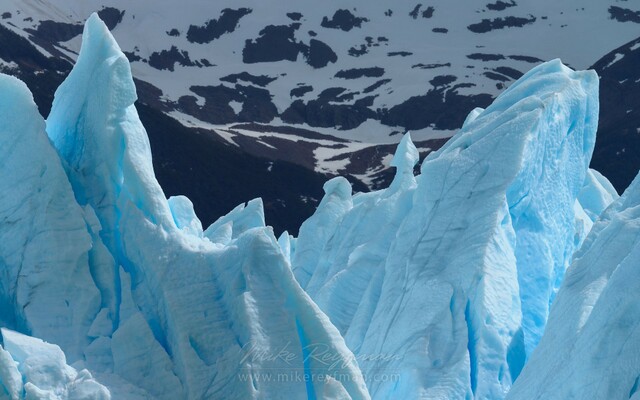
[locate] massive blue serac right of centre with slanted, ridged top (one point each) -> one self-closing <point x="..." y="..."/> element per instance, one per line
<point x="442" y="285"/>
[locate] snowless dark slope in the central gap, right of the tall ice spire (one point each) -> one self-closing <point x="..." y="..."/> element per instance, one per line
<point x="217" y="176"/>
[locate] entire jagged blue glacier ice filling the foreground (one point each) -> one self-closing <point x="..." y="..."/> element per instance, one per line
<point x="503" y="269"/>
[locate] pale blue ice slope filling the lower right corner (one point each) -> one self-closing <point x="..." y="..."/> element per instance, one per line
<point x="591" y="348"/>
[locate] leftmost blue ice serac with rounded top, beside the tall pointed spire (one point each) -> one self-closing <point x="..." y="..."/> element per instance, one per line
<point x="47" y="287"/>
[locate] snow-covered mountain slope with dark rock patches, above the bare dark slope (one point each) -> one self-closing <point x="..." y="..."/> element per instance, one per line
<point x="363" y="73"/>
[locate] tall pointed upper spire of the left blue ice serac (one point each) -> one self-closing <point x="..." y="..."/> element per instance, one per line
<point x="96" y="129"/>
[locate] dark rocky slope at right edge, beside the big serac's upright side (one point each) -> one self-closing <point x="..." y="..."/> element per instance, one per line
<point x="617" y="151"/>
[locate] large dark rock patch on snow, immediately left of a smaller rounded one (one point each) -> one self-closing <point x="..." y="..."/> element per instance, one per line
<point x="275" y="43"/>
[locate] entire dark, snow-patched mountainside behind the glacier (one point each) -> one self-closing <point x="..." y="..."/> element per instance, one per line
<point x="324" y="86"/>
